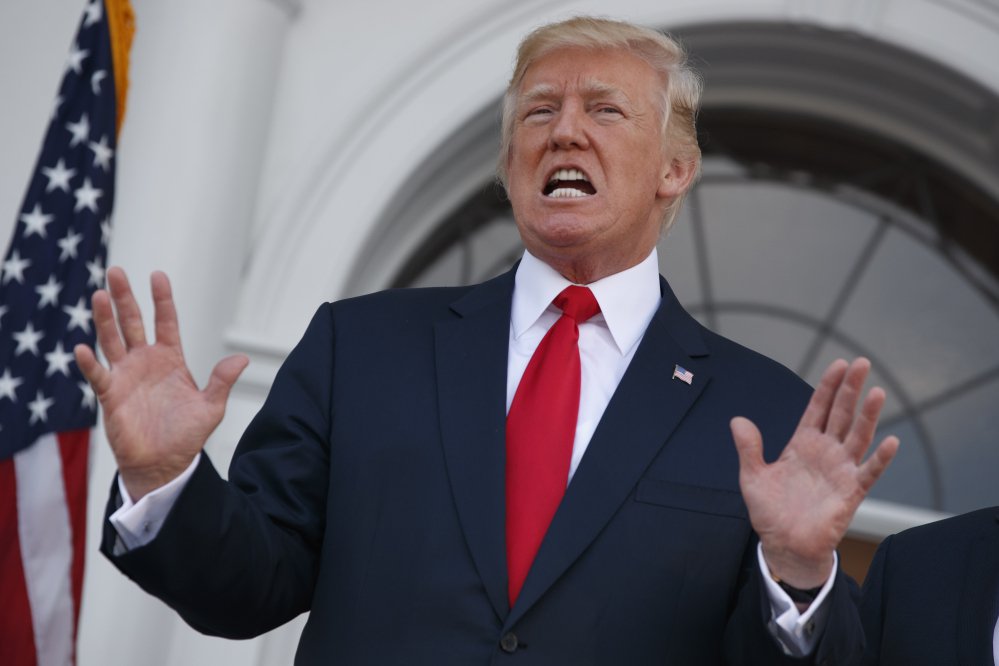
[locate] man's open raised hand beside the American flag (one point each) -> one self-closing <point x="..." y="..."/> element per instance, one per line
<point x="155" y="416"/>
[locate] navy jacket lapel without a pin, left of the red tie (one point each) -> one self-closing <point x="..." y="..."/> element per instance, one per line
<point x="471" y="357"/>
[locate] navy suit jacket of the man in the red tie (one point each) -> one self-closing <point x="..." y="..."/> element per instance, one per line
<point x="370" y="490"/>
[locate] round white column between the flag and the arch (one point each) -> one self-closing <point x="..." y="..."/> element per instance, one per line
<point x="202" y="84"/>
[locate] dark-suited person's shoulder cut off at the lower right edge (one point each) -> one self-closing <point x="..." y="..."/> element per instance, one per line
<point x="932" y="594"/>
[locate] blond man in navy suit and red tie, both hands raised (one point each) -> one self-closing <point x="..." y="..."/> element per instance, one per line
<point x="526" y="470"/>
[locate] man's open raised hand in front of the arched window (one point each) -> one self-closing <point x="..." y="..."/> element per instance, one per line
<point x="801" y="504"/>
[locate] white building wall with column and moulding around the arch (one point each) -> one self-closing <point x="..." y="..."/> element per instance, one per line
<point x="261" y="145"/>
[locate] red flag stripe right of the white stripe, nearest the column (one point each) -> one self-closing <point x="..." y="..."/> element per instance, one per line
<point x="74" y="448"/>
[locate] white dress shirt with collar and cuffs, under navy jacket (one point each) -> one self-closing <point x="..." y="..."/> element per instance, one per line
<point x="607" y="343"/>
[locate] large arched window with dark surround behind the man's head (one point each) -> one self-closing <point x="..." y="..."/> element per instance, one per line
<point x="844" y="209"/>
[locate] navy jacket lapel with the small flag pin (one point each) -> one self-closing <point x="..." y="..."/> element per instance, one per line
<point x="640" y="417"/>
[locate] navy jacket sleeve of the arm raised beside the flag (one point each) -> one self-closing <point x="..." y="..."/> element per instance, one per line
<point x="239" y="558"/>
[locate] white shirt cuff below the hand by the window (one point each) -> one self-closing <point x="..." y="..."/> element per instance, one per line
<point x="798" y="633"/>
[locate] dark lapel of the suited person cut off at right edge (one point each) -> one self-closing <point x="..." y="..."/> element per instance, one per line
<point x="978" y="607"/>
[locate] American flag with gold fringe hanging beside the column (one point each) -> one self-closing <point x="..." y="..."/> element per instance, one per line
<point x="55" y="261"/>
